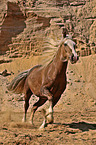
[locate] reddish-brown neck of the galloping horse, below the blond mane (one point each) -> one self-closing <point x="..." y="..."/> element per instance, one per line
<point x="59" y="63"/>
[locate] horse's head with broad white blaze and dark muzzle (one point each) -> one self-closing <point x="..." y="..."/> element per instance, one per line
<point x="69" y="49"/>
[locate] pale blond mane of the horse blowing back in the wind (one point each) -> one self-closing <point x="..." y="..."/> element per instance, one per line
<point x="50" y="48"/>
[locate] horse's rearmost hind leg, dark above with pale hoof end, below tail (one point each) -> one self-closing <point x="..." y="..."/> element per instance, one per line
<point x="26" y="105"/>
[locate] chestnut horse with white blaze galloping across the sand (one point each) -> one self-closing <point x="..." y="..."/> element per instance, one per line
<point x="46" y="82"/>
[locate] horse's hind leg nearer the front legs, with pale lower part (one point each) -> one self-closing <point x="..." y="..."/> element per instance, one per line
<point x="39" y="103"/>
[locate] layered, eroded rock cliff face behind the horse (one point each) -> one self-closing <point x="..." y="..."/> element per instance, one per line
<point x="26" y="24"/>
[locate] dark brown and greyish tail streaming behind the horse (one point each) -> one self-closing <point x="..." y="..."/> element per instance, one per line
<point x="17" y="84"/>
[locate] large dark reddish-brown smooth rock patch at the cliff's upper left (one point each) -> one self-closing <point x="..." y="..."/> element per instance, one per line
<point x="13" y="24"/>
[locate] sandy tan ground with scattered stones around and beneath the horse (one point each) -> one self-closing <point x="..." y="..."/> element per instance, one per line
<point x="74" y="115"/>
